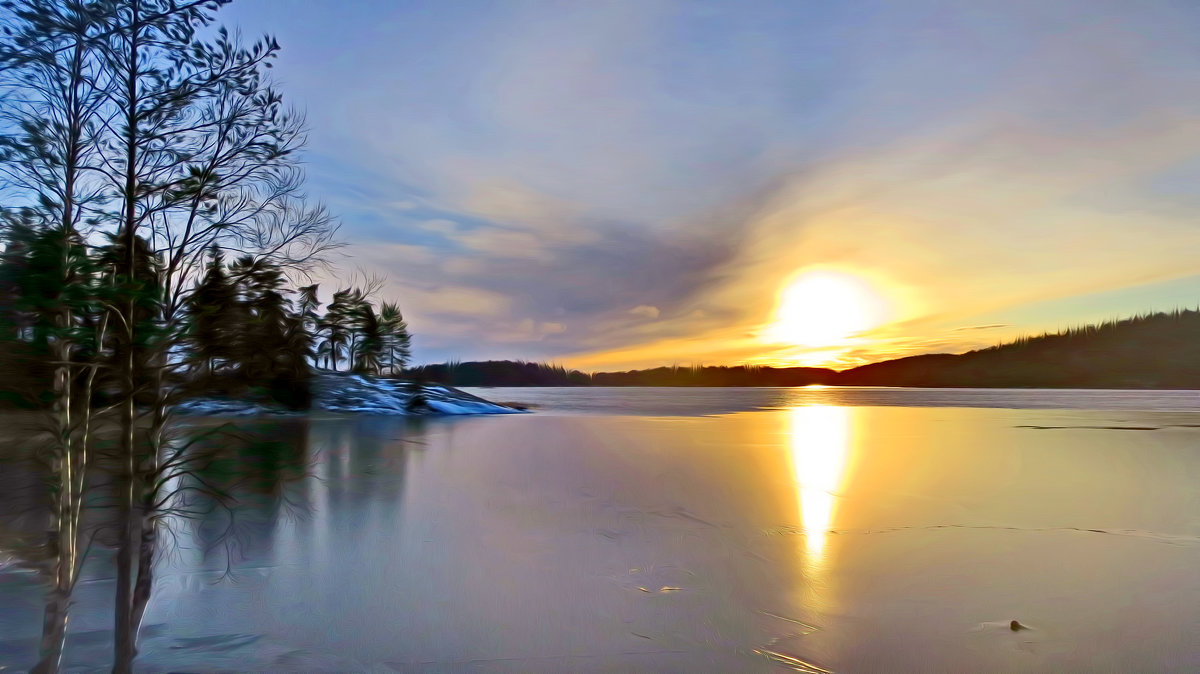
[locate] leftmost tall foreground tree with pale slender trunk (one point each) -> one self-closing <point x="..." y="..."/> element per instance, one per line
<point x="53" y="98"/>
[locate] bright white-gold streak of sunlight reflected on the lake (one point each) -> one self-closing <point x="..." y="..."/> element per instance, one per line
<point x="820" y="443"/>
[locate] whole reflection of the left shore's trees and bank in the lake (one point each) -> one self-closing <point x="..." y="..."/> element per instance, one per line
<point x="236" y="486"/>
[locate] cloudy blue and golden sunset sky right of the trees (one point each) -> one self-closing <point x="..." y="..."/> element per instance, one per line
<point x="616" y="185"/>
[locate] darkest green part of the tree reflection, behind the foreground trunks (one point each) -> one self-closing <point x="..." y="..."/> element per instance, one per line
<point x="230" y="483"/>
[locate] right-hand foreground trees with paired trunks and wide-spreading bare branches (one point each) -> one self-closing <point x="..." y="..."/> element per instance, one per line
<point x="201" y="141"/>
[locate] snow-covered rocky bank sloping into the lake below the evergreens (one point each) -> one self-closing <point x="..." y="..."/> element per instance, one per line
<point x="355" y="394"/>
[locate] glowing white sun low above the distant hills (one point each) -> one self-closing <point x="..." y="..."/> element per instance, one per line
<point x="825" y="309"/>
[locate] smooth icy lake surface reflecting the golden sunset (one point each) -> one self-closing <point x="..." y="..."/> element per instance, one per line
<point x="686" y="531"/>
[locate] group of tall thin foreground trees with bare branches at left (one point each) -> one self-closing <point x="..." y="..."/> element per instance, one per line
<point x="163" y="131"/>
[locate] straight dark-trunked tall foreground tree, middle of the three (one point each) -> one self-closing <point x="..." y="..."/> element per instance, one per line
<point x="157" y="80"/>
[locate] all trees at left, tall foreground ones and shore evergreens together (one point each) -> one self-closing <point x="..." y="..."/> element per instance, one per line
<point x="141" y="147"/>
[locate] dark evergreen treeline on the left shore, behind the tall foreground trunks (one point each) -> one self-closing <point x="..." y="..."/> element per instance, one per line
<point x="242" y="332"/>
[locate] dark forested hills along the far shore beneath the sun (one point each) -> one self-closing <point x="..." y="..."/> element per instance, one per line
<point x="1160" y="351"/>
